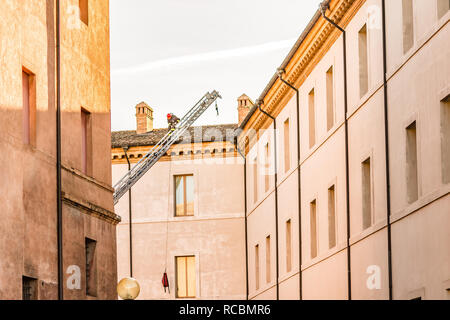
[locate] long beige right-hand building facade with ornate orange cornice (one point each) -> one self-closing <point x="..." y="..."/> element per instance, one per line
<point x="362" y="211"/>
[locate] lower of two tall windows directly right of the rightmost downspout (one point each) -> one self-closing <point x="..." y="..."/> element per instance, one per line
<point x="412" y="185"/>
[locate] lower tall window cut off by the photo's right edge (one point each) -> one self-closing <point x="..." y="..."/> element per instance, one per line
<point x="445" y="140"/>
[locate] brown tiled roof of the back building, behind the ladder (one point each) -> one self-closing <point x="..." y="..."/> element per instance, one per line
<point x="224" y="132"/>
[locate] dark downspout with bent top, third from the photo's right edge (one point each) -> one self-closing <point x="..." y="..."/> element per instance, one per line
<point x="281" y="72"/>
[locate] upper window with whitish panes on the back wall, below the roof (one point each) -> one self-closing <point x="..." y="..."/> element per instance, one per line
<point x="184" y="195"/>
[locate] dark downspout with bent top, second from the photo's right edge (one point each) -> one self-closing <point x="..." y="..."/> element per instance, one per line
<point x="324" y="6"/>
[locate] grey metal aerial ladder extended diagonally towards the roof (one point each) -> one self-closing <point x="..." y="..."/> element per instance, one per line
<point x="161" y="148"/>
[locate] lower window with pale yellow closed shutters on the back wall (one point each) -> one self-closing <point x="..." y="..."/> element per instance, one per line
<point x="186" y="283"/>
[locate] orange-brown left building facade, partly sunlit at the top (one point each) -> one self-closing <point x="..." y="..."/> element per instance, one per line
<point x="28" y="137"/>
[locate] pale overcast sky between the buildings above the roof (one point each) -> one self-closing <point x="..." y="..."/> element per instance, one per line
<point x="169" y="53"/>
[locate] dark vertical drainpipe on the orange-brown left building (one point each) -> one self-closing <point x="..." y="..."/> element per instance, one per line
<point x="58" y="157"/>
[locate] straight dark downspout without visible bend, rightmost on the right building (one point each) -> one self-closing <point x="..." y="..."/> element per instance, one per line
<point x="386" y="136"/>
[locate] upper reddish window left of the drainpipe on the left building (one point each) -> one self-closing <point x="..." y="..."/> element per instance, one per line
<point x="29" y="108"/>
